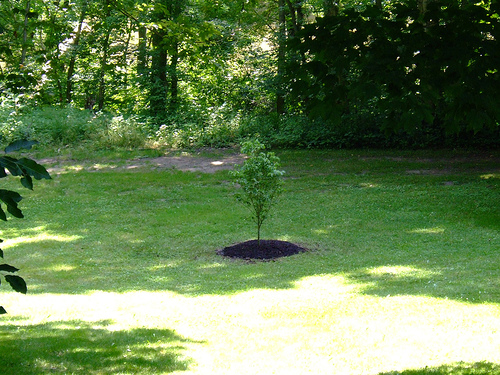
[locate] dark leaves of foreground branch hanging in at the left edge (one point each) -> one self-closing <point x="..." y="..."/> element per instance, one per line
<point x="27" y="169"/>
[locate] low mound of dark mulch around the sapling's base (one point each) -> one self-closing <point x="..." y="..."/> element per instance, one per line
<point x="268" y="249"/>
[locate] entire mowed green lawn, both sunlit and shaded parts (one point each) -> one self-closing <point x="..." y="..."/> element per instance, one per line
<point x="402" y="275"/>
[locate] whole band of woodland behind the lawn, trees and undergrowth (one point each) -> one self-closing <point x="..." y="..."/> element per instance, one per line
<point x="298" y="73"/>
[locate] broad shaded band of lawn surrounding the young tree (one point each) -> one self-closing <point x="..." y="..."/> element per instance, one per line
<point x="161" y="232"/>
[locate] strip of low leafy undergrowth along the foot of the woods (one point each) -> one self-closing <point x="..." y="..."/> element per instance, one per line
<point x="218" y="127"/>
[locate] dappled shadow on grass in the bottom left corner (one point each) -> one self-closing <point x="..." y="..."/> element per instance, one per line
<point x="76" y="347"/>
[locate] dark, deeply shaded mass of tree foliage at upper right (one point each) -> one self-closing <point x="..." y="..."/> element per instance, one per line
<point x="414" y="68"/>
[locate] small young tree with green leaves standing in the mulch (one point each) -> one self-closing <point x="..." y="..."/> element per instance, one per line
<point x="260" y="181"/>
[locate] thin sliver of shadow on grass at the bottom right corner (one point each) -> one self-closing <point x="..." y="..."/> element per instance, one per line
<point x="478" y="368"/>
